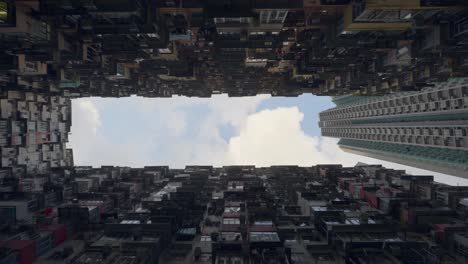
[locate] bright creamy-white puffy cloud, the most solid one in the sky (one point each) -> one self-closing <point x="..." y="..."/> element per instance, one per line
<point x="272" y="137"/>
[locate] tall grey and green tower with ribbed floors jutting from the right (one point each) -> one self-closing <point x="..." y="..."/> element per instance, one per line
<point x="427" y="129"/>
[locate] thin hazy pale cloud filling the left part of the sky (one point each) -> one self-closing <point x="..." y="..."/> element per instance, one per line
<point x="168" y="131"/>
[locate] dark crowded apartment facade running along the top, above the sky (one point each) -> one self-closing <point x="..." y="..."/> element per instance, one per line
<point x="241" y="48"/>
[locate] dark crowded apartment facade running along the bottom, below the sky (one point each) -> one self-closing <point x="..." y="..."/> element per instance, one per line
<point x="243" y="214"/>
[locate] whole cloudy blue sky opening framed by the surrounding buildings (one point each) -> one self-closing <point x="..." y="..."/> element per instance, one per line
<point x="261" y="130"/>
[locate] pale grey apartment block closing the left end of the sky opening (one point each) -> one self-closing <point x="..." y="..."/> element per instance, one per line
<point x="33" y="132"/>
